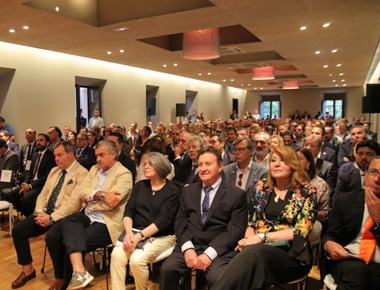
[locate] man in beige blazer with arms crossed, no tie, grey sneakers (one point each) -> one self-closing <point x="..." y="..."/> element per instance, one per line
<point x="106" y="190"/>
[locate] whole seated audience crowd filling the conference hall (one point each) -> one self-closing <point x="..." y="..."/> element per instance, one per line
<point x="190" y="187"/>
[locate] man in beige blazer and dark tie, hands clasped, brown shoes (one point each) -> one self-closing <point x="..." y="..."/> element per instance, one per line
<point x="48" y="207"/>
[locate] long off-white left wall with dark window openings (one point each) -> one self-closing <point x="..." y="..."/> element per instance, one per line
<point x="42" y="91"/>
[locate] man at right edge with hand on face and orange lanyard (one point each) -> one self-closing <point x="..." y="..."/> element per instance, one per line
<point x="354" y="222"/>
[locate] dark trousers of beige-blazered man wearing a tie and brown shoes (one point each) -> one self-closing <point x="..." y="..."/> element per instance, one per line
<point x="24" y="230"/>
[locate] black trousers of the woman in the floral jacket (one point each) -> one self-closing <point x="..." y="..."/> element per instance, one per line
<point x="259" y="266"/>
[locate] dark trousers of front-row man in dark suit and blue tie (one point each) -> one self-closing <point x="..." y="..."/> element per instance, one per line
<point x="175" y="267"/>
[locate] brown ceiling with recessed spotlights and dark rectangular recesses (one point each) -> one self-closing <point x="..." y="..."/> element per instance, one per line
<point x="320" y="43"/>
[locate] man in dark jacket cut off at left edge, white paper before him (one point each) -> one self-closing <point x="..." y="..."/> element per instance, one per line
<point x="8" y="161"/>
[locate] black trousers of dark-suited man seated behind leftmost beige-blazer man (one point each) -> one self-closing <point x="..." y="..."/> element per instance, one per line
<point x="25" y="202"/>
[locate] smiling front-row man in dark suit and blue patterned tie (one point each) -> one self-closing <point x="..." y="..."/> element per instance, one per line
<point x="211" y="219"/>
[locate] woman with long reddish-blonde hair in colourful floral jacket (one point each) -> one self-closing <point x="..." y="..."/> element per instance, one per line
<point x="275" y="248"/>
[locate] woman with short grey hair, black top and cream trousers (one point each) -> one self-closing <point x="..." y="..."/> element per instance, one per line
<point x="148" y="223"/>
